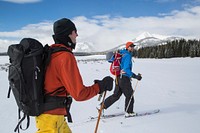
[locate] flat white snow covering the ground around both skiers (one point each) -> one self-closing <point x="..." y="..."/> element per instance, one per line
<point x="171" y="85"/>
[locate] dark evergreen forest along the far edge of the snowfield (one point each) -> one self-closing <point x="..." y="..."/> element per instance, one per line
<point x="177" y="48"/>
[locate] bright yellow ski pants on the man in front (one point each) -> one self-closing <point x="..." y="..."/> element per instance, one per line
<point x="47" y="123"/>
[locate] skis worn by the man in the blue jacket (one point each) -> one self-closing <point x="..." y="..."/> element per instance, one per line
<point x="123" y="114"/>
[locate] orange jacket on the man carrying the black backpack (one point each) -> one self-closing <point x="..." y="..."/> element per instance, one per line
<point x="63" y="71"/>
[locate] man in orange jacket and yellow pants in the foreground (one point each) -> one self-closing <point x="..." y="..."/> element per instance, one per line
<point x="63" y="79"/>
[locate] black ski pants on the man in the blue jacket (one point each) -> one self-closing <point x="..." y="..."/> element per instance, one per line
<point x="124" y="87"/>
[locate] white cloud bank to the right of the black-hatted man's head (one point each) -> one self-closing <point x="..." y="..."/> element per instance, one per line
<point x="108" y="32"/>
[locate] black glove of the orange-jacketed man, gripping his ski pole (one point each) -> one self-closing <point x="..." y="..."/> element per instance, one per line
<point x="106" y="84"/>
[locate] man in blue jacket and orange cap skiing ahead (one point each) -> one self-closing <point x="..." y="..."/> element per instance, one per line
<point x="124" y="81"/>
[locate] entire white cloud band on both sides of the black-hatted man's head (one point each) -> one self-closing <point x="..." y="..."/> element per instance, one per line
<point x="106" y="32"/>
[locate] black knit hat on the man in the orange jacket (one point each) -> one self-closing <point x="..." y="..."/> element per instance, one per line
<point x="63" y="26"/>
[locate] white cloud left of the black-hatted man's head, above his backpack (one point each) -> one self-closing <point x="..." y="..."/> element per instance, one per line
<point x="41" y="31"/>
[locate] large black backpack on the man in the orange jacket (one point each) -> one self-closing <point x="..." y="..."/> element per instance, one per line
<point x="28" y="61"/>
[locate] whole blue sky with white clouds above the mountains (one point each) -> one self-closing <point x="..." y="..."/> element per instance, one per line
<point x="103" y="23"/>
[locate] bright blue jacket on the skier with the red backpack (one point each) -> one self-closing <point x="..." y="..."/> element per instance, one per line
<point x="126" y="63"/>
